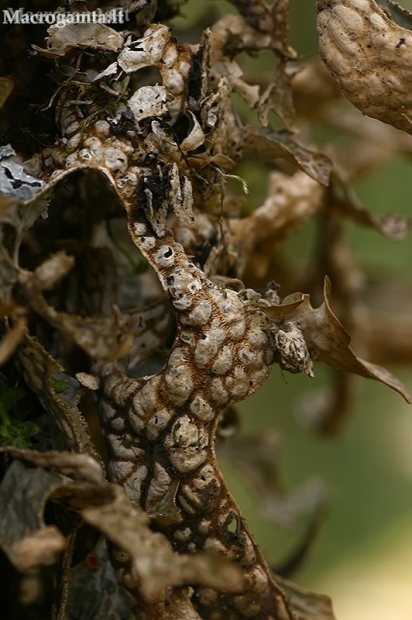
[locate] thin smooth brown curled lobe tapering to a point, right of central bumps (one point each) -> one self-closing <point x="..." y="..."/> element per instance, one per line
<point x="329" y="342"/>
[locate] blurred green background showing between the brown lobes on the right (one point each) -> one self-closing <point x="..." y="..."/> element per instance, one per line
<point x="363" y="554"/>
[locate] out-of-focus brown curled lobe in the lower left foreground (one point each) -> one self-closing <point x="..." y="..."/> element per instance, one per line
<point x="28" y="542"/>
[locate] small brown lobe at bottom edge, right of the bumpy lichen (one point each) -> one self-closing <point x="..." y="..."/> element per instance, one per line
<point x="307" y="605"/>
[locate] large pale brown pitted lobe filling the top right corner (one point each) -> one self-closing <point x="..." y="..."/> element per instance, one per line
<point x="378" y="34"/>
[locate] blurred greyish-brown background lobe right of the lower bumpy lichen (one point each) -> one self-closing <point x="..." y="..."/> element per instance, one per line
<point x="256" y="458"/>
